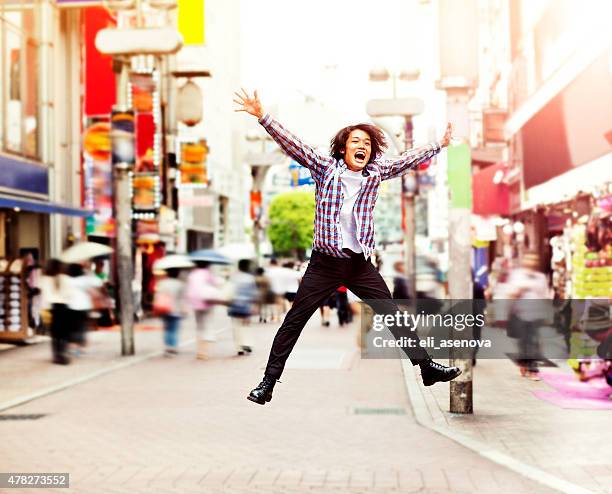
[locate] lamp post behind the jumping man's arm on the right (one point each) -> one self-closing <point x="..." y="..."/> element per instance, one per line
<point x="406" y="108"/>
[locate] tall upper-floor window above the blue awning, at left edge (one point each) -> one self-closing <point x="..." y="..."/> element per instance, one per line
<point x="19" y="130"/>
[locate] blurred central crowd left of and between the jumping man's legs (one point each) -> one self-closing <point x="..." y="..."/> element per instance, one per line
<point x="250" y="294"/>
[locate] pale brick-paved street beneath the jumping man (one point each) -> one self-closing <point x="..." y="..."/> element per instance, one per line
<point x="182" y="425"/>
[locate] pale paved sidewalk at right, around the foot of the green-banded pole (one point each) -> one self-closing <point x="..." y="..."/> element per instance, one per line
<point x="510" y="421"/>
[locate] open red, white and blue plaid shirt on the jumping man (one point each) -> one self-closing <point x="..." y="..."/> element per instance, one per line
<point x="326" y="172"/>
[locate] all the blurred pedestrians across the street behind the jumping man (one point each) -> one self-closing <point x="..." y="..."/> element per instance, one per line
<point x="74" y="297"/>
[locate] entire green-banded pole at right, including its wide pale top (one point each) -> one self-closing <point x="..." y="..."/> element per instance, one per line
<point x="458" y="25"/>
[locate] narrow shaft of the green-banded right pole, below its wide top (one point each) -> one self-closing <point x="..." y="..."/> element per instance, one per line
<point x="459" y="273"/>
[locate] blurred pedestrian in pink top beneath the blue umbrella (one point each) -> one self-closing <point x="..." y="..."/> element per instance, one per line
<point x="203" y="291"/>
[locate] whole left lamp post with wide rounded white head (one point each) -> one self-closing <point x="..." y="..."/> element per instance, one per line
<point x="121" y="44"/>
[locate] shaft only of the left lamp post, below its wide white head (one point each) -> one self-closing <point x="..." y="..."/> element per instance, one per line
<point x="123" y="212"/>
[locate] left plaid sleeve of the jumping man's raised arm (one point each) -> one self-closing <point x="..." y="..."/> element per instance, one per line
<point x="304" y="154"/>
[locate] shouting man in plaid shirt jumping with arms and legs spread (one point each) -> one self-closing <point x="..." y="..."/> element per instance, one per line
<point x="348" y="182"/>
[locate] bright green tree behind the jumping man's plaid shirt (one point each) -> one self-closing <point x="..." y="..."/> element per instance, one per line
<point x="291" y="227"/>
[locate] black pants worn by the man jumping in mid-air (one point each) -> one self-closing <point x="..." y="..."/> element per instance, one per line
<point x="323" y="276"/>
